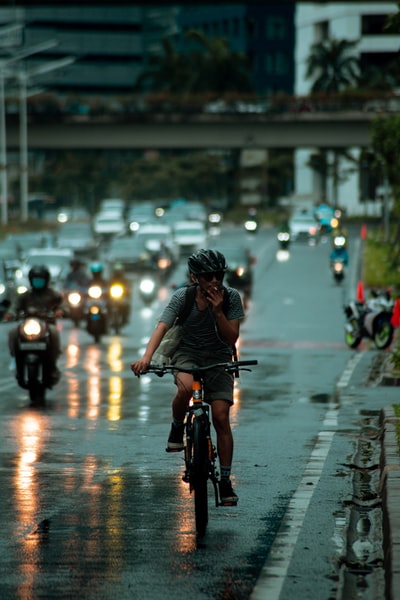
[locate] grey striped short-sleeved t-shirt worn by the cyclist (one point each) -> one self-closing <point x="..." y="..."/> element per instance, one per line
<point x="199" y="330"/>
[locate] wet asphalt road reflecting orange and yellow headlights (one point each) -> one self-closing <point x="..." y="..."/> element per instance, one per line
<point x="93" y="507"/>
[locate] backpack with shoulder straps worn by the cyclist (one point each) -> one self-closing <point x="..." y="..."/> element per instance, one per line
<point x="171" y="339"/>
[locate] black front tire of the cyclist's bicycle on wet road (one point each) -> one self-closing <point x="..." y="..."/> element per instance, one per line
<point x="200" y="475"/>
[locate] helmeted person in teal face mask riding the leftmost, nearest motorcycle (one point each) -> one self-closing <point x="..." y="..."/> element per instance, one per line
<point x="40" y="297"/>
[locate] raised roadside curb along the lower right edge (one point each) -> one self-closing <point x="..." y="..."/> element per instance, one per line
<point x="390" y="490"/>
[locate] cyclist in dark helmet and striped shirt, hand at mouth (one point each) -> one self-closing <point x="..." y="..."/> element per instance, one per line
<point x="208" y="334"/>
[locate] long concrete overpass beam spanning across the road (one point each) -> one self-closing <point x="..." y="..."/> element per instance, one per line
<point x="218" y="131"/>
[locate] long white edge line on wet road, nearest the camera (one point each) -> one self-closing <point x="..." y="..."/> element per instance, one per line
<point x="273" y="574"/>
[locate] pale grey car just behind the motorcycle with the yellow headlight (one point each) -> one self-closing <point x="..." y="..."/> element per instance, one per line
<point x="130" y="252"/>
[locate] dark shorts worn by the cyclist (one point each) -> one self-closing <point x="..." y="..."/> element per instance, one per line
<point x="217" y="384"/>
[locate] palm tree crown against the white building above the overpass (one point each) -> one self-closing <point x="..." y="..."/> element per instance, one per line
<point x="332" y="65"/>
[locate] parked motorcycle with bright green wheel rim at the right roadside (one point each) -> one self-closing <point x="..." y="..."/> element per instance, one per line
<point x="371" y="320"/>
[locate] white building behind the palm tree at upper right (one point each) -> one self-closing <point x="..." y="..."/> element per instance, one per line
<point x="355" y="21"/>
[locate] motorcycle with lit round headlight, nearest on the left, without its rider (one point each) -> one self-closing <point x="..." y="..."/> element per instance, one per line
<point x="33" y="354"/>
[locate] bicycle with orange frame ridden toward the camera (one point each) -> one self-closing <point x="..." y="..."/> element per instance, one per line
<point x="199" y="452"/>
